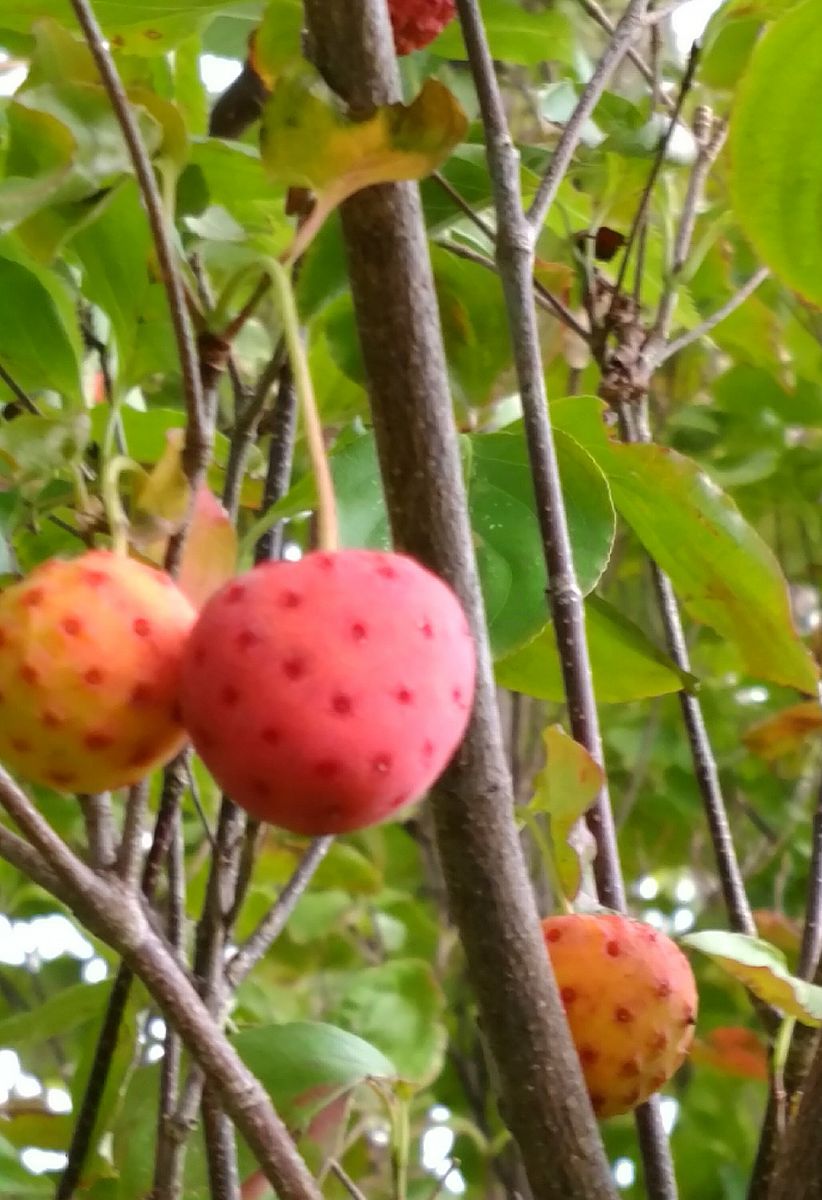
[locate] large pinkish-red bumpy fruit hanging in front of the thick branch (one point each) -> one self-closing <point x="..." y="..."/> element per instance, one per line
<point x="325" y="695"/>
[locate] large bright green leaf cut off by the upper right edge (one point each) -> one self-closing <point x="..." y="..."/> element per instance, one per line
<point x="777" y="152"/>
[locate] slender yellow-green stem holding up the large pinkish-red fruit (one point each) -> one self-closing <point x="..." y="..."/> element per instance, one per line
<point x="327" y="506"/>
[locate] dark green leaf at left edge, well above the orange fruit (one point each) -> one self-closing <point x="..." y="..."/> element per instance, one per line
<point x="38" y="347"/>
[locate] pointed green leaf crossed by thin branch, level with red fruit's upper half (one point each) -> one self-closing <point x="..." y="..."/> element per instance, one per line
<point x="626" y="664"/>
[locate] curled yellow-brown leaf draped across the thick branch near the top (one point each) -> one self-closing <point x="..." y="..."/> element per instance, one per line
<point x="310" y="140"/>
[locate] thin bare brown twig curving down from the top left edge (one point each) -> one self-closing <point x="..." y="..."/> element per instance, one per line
<point x="199" y="433"/>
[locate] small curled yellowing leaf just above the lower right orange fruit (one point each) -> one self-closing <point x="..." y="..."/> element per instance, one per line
<point x="565" y="791"/>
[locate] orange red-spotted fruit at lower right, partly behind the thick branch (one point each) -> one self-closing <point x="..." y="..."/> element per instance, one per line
<point x="631" y="1000"/>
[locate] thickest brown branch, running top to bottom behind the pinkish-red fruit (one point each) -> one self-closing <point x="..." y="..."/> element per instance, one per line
<point x="543" y="1091"/>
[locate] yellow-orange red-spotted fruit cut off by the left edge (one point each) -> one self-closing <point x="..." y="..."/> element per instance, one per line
<point x="91" y="652"/>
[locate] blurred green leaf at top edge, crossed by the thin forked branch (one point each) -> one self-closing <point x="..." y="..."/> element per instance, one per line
<point x="515" y="34"/>
